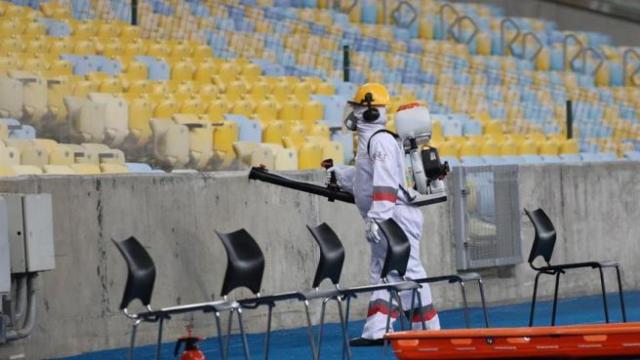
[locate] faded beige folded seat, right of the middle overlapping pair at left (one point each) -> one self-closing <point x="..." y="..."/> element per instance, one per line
<point x="116" y="117"/>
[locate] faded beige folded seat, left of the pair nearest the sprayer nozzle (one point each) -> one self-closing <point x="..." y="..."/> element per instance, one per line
<point x="170" y="142"/>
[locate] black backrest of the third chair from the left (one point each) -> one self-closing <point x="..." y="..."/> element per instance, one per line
<point x="331" y="254"/>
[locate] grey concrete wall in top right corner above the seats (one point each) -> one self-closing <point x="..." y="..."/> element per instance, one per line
<point x="623" y="32"/>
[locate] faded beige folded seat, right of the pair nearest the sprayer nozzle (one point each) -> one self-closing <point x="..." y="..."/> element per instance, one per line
<point x="200" y="138"/>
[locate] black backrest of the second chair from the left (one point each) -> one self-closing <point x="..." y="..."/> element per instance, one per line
<point x="245" y="262"/>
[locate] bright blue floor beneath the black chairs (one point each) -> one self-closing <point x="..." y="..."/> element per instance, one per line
<point x="292" y="344"/>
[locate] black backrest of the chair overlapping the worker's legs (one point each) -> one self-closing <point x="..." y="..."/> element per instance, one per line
<point x="398" y="250"/>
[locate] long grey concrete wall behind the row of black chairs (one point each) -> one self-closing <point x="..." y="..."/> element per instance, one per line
<point x="595" y="208"/>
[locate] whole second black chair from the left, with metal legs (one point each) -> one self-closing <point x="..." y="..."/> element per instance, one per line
<point x="245" y="268"/>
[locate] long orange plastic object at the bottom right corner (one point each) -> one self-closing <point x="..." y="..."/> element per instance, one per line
<point x="560" y="342"/>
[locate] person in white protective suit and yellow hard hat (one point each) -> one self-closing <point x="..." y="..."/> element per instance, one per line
<point x="376" y="183"/>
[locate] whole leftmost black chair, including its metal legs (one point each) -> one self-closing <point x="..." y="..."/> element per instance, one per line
<point x="140" y="281"/>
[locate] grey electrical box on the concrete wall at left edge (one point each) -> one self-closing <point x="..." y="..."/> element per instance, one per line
<point x="30" y="225"/>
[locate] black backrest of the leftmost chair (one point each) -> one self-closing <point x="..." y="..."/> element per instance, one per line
<point x="141" y="272"/>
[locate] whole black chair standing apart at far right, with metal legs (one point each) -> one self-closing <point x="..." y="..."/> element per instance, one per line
<point x="543" y="244"/>
